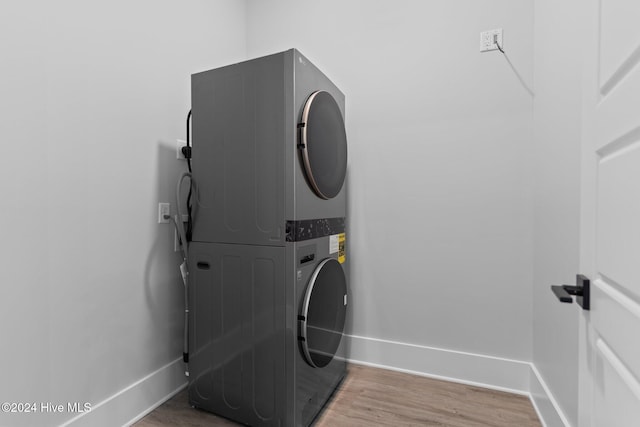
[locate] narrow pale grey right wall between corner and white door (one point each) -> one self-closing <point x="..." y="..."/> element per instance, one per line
<point x="557" y="112"/>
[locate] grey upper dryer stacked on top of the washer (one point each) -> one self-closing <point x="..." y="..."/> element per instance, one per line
<point x="269" y="146"/>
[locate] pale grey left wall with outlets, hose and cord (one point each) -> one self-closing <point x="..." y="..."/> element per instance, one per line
<point x="92" y="98"/>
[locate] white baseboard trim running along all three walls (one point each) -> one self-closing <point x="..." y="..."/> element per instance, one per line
<point x="496" y="373"/>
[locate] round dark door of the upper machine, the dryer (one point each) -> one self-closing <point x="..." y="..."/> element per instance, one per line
<point x="323" y="144"/>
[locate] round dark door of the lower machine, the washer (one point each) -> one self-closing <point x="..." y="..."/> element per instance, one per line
<point x="323" y="313"/>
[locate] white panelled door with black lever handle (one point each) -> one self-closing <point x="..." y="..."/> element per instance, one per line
<point x="610" y="222"/>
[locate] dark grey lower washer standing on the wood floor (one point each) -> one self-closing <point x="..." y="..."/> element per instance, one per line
<point x="249" y="307"/>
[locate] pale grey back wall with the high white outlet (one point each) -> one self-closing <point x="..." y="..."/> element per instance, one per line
<point x="439" y="173"/>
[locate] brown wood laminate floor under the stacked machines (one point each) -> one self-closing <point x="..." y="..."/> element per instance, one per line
<point x="377" y="397"/>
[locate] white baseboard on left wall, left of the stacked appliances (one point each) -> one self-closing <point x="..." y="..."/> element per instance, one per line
<point x="127" y="406"/>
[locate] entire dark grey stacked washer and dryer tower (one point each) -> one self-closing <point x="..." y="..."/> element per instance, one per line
<point x="267" y="261"/>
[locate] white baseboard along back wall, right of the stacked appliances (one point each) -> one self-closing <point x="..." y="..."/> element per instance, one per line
<point x="467" y="368"/>
